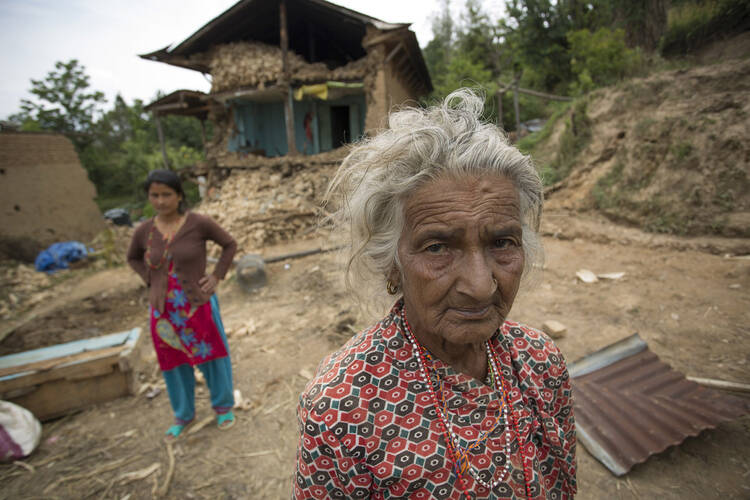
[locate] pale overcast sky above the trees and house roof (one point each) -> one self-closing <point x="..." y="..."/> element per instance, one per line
<point x="106" y="36"/>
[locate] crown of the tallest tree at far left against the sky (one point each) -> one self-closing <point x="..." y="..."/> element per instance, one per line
<point x="63" y="103"/>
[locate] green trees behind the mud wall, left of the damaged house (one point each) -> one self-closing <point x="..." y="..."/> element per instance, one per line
<point x="120" y="146"/>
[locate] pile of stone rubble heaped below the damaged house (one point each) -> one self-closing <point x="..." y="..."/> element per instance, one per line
<point x="277" y="201"/>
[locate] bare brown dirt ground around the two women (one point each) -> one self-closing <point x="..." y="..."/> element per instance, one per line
<point x="691" y="307"/>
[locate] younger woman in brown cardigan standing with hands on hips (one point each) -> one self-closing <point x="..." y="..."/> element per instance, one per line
<point x="169" y="253"/>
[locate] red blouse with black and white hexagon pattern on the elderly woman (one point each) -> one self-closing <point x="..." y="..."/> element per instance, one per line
<point x="369" y="428"/>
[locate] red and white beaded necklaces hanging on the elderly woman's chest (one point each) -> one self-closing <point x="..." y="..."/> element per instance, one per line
<point x="460" y="455"/>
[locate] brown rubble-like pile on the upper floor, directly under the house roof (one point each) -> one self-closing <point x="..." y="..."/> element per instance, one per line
<point x="257" y="65"/>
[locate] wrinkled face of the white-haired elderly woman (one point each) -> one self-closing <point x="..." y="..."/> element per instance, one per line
<point x="460" y="237"/>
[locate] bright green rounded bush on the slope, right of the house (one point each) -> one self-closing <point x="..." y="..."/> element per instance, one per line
<point x="600" y="58"/>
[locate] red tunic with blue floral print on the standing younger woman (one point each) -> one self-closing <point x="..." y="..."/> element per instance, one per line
<point x="183" y="334"/>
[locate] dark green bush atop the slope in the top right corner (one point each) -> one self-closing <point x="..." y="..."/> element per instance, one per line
<point x="693" y="24"/>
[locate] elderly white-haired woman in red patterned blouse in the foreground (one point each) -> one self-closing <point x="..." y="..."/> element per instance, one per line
<point x="444" y="397"/>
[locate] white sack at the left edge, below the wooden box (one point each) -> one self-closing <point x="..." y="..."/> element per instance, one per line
<point x="20" y="432"/>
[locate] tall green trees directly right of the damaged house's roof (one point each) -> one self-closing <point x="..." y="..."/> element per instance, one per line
<point x="551" y="46"/>
